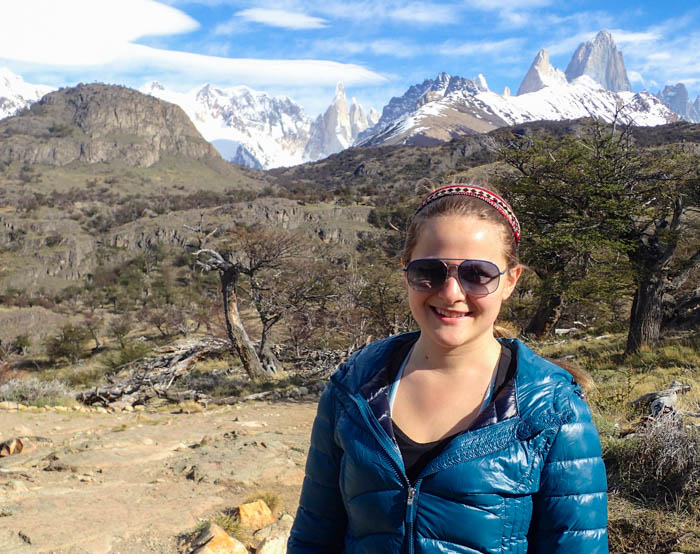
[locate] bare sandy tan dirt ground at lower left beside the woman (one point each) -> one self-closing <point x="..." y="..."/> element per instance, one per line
<point x="131" y="482"/>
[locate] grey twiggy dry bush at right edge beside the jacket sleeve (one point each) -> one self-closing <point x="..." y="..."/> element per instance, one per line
<point x="660" y="463"/>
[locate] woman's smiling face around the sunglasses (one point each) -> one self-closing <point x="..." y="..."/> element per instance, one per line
<point x="449" y="318"/>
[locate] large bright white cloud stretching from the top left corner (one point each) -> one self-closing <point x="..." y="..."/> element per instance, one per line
<point x="91" y="39"/>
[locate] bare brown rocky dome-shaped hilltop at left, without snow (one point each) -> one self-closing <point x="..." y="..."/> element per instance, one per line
<point x="100" y="123"/>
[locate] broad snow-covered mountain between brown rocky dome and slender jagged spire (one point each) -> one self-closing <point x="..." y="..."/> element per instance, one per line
<point x="247" y="127"/>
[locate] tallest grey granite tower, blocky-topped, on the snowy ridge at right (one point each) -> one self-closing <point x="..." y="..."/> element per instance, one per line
<point x="601" y="61"/>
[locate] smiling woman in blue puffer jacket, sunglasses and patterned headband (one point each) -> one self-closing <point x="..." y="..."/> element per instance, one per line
<point x="447" y="439"/>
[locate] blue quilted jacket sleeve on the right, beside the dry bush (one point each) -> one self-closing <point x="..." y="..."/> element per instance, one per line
<point x="570" y="511"/>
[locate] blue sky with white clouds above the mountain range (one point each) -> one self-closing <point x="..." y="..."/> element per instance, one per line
<point x="377" y="48"/>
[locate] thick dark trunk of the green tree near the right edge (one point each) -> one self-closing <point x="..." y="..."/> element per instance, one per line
<point x="647" y="314"/>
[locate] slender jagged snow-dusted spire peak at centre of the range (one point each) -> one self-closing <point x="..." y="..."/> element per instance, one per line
<point x="339" y="127"/>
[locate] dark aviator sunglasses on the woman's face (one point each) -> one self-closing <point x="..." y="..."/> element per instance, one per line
<point x="476" y="277"/>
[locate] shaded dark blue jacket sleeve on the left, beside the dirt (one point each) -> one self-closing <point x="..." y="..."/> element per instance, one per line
<point x="321" y="519"/>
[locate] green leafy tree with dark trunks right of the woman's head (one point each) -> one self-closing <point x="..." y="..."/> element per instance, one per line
<point x="584" y="198"/>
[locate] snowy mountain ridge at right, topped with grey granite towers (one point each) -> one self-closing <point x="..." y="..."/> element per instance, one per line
<point x="447" y="106"/>
